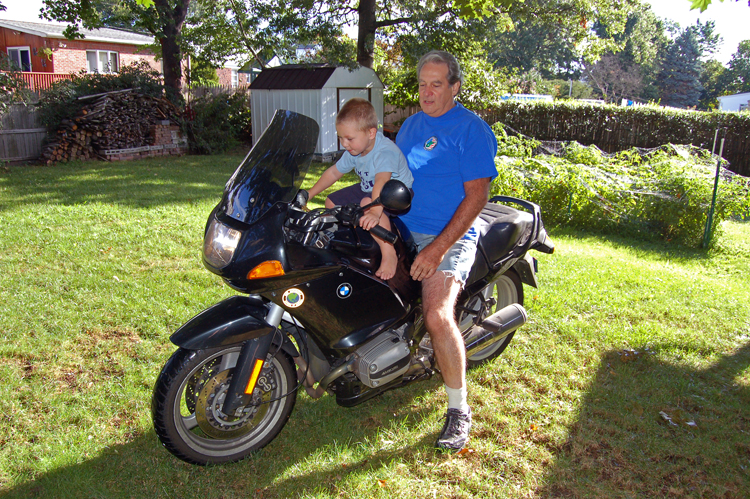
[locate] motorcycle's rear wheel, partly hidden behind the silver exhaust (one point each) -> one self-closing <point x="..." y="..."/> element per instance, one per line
<point x="507" y="289"/>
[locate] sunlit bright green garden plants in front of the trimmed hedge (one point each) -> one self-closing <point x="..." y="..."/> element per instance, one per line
<point x="665" y="192"/>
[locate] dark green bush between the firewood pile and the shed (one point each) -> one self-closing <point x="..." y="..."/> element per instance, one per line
<point x="219" y="122"/>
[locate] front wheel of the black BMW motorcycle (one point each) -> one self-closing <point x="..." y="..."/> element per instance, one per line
<point x="189" y="394"/>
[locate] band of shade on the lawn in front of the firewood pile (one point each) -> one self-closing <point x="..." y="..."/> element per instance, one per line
<point x="145" y="183"/>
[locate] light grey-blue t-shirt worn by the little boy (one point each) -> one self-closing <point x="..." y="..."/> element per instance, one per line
<point x="384" y="157"/>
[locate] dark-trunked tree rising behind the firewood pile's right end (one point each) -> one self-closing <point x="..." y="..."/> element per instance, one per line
<point x="164" y="19"/>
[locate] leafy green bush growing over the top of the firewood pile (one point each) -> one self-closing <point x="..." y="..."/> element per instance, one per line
<point x="61" y="102"/>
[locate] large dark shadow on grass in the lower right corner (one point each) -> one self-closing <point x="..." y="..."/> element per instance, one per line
<point x="653" y="429"/>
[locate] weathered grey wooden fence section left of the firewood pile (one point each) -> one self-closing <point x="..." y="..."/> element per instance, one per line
<point x="21" y="134"/>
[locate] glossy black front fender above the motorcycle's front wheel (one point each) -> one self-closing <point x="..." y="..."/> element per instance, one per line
<point x="232" y="321"/>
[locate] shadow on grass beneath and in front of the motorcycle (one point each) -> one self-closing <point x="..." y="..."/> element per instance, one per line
<point x="143" y="468"/>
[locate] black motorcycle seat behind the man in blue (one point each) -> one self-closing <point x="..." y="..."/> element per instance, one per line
<point x="504" y="230"/>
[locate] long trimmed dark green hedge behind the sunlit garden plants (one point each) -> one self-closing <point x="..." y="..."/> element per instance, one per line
<point x="615" y="128"/>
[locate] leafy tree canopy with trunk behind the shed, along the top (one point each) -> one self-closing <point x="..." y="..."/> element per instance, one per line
<point x="415" y="25"/>
